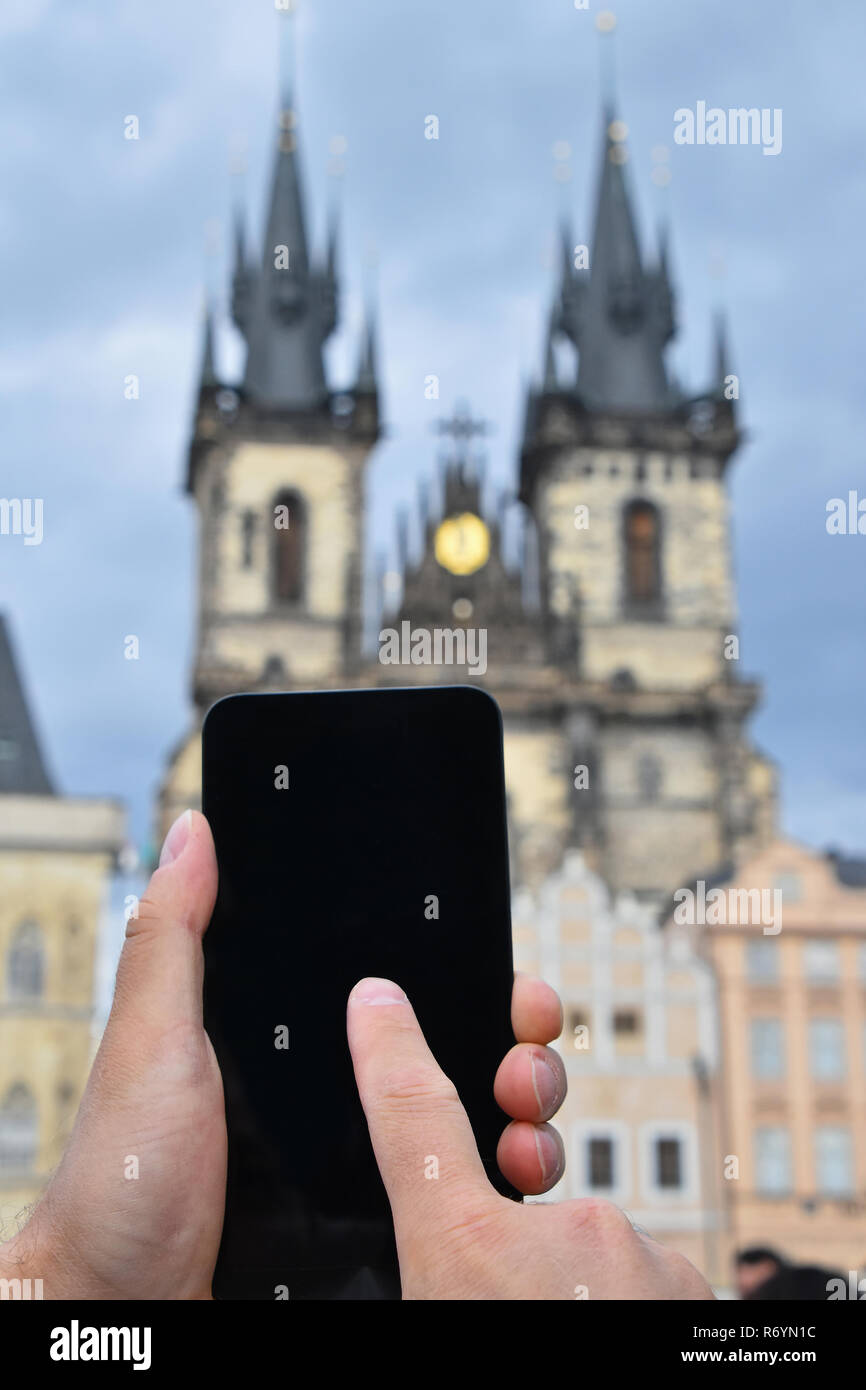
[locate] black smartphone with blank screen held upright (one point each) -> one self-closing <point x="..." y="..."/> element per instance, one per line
<point x="359" y="833"/>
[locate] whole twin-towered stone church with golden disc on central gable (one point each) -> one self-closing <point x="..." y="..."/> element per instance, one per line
<point x="626" y="722"/>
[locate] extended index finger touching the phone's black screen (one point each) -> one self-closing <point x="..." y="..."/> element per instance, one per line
<point x="420" y="1134"/>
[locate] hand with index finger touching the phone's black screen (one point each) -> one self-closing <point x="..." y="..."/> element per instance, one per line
<point x="457" y="1236"/>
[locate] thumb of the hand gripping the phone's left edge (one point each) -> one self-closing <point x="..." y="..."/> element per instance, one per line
<point x="161" y="971"/>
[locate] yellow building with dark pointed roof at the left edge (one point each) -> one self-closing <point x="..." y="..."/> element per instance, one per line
<point x="56" y="854"/>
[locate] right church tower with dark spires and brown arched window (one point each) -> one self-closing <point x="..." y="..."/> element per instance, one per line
<point x="625" y="476"/>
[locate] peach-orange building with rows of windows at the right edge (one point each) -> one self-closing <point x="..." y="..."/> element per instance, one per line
<point x="792" y="976"/>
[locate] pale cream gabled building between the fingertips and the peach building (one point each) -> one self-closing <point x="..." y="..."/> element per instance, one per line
<point x="640" y="1047"/>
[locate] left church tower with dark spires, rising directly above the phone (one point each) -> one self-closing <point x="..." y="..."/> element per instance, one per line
<point x="277" y="471"/>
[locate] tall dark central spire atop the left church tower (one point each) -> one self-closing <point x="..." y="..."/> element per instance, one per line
<point x="290" y="318"/>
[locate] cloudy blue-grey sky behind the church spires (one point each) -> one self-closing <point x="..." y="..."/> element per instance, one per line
<point x="108" y="248"/>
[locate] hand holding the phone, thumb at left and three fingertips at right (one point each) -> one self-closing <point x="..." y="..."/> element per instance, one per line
<point x="155" y="1096"/>
